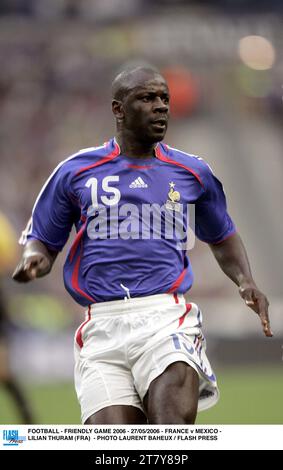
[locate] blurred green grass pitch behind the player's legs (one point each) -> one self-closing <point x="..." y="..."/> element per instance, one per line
<point x="248" y="396"/>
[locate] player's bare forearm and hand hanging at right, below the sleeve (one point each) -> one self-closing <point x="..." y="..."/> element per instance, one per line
<point x="232" y="257"/>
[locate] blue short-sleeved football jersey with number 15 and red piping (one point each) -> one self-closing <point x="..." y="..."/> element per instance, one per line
<point x="131" y="217"/>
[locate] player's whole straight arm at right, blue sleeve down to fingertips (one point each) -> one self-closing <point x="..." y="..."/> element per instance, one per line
<point x="215" y="227"/>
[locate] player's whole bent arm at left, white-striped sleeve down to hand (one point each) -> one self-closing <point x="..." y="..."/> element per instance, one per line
<point x="48" y="229"/>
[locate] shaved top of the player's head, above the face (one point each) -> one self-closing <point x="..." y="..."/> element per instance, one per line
<point x="132" y="78"/>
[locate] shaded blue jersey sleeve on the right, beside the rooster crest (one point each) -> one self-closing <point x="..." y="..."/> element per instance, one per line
<point x="212" y="222"/>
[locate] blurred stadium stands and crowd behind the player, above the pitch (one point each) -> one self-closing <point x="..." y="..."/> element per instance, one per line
<point x="224" y="68"/>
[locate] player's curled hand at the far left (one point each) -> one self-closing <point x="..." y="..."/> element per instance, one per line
<point x="32" y="266"/>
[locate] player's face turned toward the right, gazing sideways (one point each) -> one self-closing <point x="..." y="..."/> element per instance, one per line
<point x="146" y="110"/>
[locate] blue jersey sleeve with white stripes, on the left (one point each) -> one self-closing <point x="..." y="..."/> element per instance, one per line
<point x="53" y="214"/>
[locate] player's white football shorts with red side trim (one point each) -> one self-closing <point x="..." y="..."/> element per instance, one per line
<point x="124" y="345"/>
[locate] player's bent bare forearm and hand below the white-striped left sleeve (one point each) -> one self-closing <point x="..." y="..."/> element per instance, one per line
<point x="37" y="261"/>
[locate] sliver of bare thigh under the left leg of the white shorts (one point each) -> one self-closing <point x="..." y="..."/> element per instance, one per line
<point x="118" y="414"/>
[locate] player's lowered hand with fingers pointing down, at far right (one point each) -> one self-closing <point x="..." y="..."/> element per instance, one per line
<point x="258" y="302"/>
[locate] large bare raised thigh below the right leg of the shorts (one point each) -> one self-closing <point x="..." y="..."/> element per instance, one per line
<point x="173" y="396"/>
